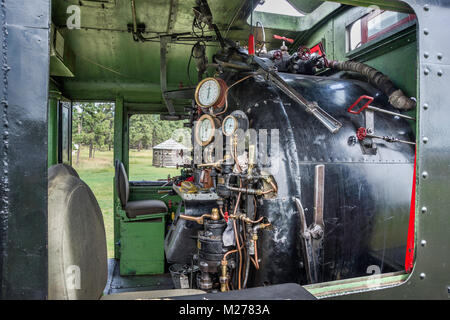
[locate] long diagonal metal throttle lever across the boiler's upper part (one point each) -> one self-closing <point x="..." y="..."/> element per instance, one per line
<point x="311" y="107"/>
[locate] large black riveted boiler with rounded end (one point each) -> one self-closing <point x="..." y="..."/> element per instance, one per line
<point x="367" y="197"/>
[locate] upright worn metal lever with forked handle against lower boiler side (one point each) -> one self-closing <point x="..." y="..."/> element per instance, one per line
<point x="312" y="236"/>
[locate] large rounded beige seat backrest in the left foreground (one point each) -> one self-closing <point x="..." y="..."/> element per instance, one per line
<point x="77" y="255"/>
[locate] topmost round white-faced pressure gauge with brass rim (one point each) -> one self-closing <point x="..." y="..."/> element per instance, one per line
<point x="210" y="92"/>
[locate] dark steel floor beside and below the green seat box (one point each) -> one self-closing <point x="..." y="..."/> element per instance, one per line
<point x="117" y="283"/>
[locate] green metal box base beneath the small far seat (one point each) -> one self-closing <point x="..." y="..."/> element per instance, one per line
<point x="142" y="246"/>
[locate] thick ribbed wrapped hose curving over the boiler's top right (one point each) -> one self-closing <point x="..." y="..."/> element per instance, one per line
<point x="396" y="97"/>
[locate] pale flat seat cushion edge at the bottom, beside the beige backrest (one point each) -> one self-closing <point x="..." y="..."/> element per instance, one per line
<point x="149" y="295"/>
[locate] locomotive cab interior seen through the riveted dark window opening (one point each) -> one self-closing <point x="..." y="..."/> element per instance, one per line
<point x="301" y="131"/>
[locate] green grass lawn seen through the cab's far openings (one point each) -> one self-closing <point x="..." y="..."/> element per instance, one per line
<point x="98" y="173"/>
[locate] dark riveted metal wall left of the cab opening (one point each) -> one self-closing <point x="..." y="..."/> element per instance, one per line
<point x="23" y="151"/>
